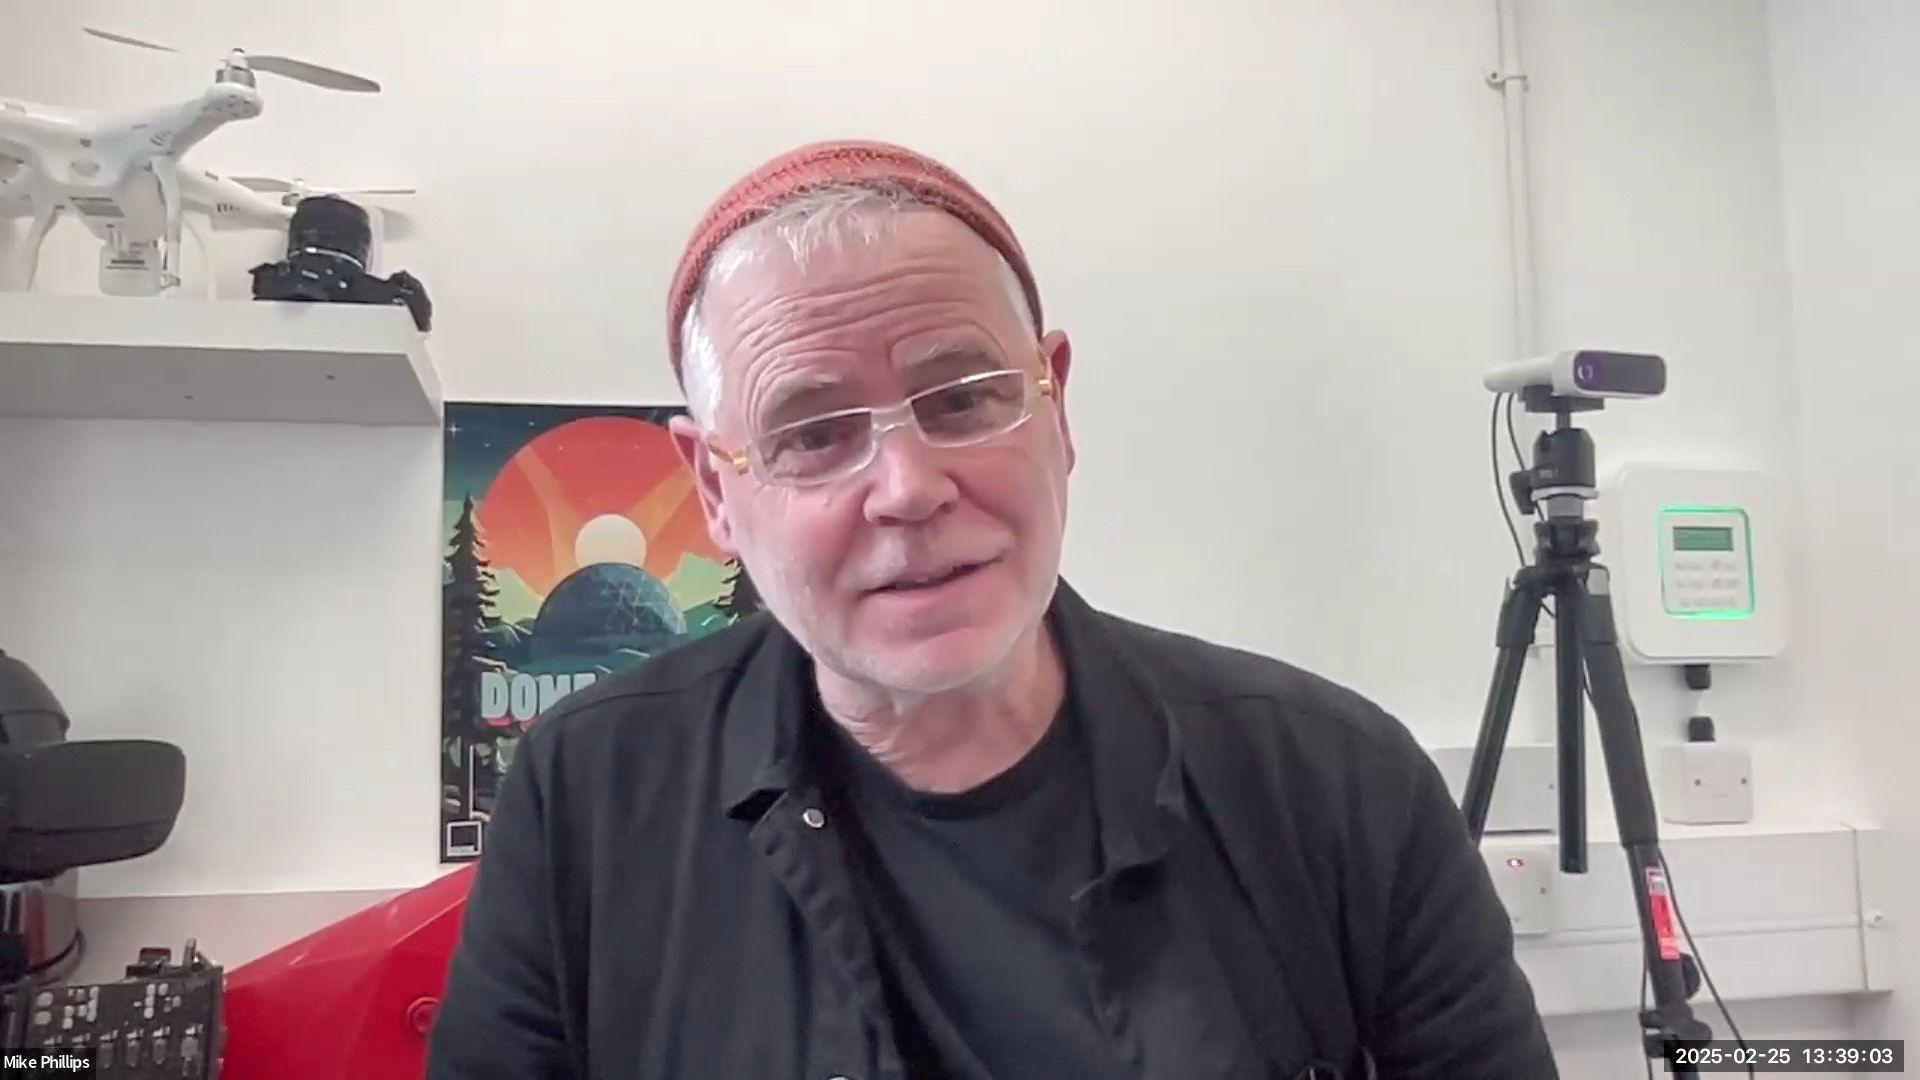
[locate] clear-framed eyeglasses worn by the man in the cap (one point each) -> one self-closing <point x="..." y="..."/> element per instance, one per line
<point x="832" y="447"/>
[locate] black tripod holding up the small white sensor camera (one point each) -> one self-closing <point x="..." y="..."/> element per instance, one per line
<point x="1587" y="660"/>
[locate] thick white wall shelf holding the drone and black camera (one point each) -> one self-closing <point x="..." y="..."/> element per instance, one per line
<point x="214" y="360"/>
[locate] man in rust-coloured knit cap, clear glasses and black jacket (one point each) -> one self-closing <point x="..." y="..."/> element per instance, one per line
<point x="930" y="814"/>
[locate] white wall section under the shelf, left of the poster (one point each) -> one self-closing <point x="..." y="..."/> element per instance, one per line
<point x="260" y="595"/>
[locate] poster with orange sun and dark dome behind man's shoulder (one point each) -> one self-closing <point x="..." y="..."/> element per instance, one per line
<point x="573" y="547"/>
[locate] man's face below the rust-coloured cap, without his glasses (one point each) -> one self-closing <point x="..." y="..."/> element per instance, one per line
<point x="869" y="324"/>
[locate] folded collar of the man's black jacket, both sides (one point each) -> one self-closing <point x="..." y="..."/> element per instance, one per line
<point x="1130" y="735"/>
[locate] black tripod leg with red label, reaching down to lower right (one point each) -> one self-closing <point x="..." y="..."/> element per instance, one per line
<point x="1633" y="808"/>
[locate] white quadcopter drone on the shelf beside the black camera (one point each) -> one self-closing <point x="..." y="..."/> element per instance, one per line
<point x="122" y="172"/>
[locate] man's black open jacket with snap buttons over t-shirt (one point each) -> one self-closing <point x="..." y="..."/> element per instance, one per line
<point x="1285" y="885"/>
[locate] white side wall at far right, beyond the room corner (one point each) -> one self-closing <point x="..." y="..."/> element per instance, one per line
<point x="1850" y="160"/>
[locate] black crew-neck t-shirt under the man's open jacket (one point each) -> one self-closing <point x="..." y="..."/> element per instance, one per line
<point x="969" y="896"/>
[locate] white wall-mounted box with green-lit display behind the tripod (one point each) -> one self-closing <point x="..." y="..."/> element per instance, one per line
<point x="1698" y="564"/>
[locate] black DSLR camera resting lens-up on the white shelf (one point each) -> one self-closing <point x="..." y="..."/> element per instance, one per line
<point x="327" y="251"/>
